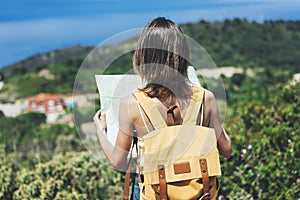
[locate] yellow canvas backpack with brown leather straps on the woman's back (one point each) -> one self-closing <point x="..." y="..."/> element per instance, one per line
<point x="180" y="161"/>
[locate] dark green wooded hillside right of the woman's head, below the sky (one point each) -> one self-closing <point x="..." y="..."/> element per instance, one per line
<point x="247" y="44"/>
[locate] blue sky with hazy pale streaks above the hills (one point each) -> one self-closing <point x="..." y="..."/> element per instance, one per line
<point x="29" y="27"/>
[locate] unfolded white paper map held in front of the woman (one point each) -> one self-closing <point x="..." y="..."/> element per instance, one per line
<point x="112" y="88"/>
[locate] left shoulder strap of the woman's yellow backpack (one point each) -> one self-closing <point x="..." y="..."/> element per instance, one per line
<point x="150" y="110"/>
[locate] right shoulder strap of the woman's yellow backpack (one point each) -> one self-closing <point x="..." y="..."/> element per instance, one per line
<point x="194" y="106"/>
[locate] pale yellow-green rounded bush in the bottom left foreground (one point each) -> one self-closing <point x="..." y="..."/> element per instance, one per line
<point x="73" y="176"/>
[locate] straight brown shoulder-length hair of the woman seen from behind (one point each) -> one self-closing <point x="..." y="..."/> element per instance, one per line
<point x="161" y="59"/>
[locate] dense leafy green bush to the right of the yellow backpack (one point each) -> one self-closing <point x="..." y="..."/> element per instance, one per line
<point x="266" y="149"/>
